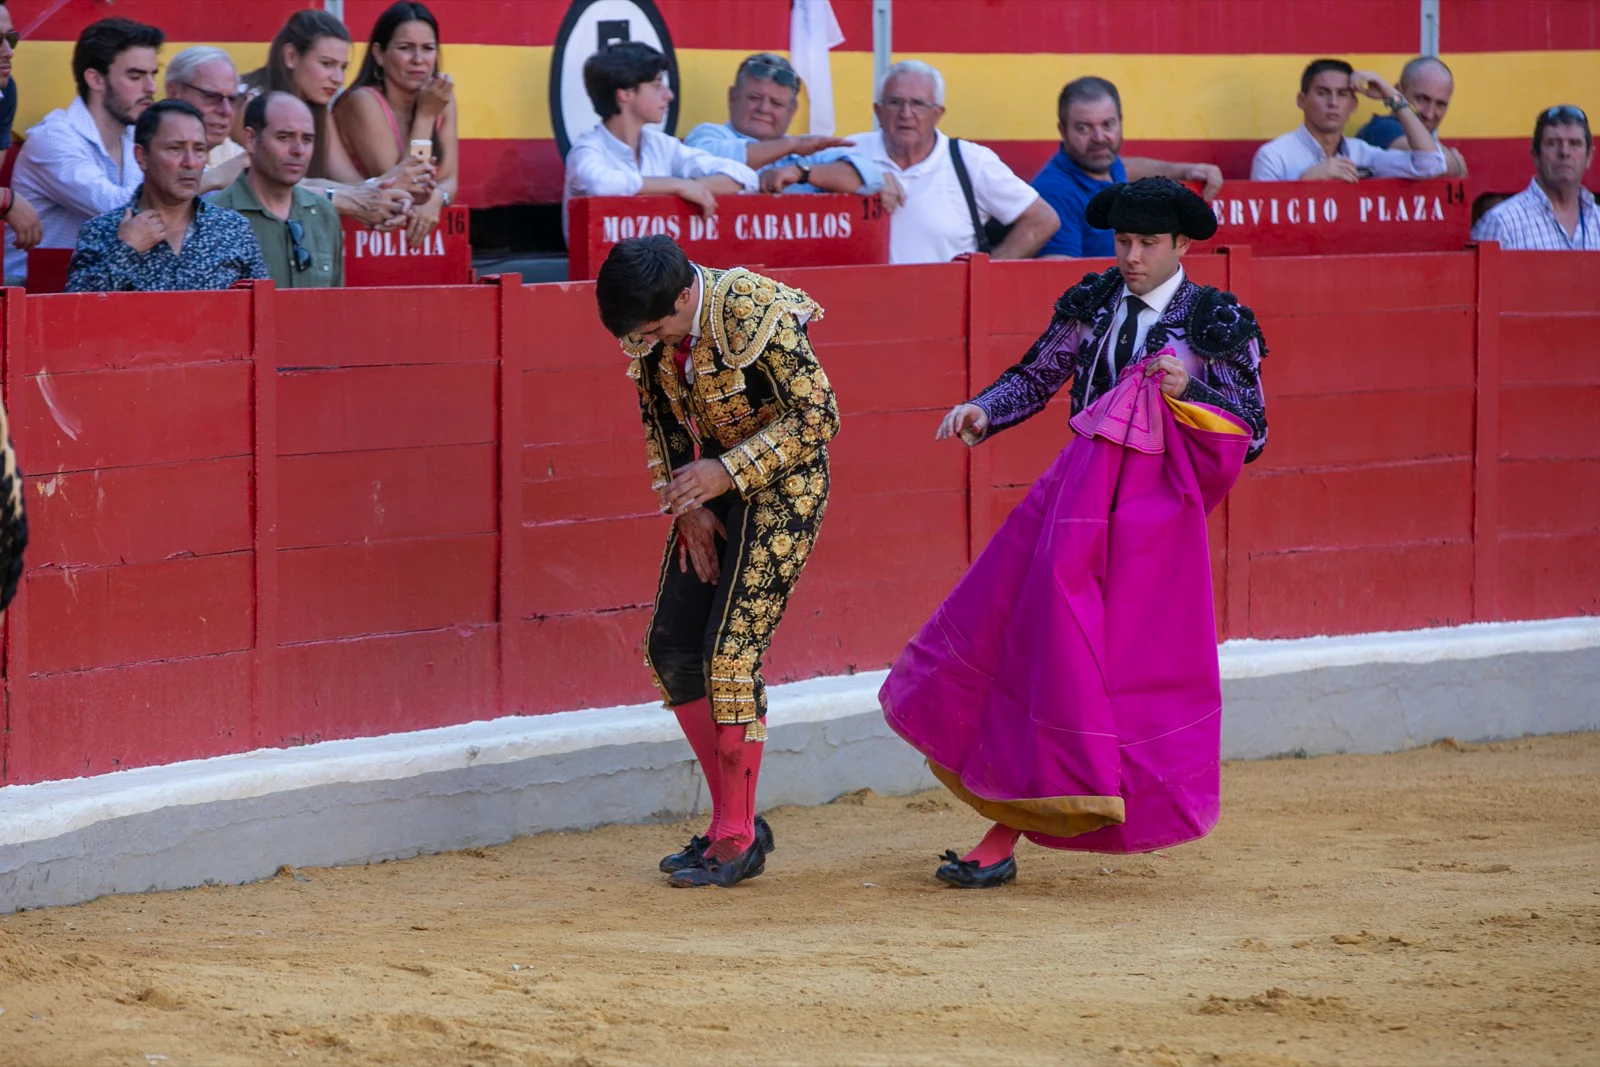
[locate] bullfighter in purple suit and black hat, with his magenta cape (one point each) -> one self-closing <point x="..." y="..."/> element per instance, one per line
<point x="1070" y="689"/>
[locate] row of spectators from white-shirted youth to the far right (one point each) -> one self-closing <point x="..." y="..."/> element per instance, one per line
<point x="948" y="198"/>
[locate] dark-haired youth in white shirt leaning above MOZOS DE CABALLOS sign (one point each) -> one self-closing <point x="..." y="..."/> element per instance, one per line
<point x="625" y="156"/>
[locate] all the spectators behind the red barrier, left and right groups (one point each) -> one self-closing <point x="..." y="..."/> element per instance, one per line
<point x="286" y="151"/>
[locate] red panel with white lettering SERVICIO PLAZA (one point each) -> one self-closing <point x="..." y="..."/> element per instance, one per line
<point x="1334" y="218"/>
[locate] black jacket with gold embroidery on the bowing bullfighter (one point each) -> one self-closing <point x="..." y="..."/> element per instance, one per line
<point x="759" y="399"/>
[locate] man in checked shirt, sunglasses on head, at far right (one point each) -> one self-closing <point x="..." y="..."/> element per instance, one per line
<point x="1554" y="214"/>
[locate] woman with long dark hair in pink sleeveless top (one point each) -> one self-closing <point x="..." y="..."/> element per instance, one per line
<point x="401" y="97"/>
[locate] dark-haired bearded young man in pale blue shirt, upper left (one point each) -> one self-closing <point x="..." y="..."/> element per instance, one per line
<point x="79" y="162"/>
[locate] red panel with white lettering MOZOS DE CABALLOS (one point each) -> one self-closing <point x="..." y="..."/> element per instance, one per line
<point x="775" y="231"/>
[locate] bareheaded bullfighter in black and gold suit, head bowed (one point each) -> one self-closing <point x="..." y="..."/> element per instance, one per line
<point x="726" y="372"/>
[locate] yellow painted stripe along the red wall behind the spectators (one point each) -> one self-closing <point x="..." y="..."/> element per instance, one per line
<point x="505" y="90"/>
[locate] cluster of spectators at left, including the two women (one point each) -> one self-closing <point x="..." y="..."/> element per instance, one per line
<point x="231" y="177"/>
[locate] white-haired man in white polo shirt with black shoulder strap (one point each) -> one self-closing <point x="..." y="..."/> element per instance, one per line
<point x="938" y="220"/>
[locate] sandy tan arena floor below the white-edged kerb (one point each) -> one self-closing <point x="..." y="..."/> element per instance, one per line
<point x="1431" y="908"/>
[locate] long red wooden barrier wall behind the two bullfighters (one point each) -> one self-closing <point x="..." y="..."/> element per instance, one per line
<point x="270" y="519"/>
